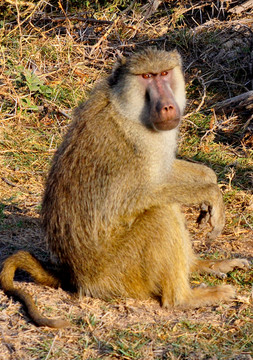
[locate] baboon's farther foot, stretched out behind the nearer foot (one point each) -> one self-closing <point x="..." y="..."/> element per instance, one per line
<point x="219" y="267"/>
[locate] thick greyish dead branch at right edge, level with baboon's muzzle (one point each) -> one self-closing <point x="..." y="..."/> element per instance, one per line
<point x="242" y="101"/>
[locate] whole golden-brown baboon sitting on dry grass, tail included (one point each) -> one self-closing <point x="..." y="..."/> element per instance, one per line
<point x="111" y="207"/>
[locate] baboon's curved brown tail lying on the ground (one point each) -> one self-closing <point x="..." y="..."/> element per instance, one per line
<point x="25" y="261"/>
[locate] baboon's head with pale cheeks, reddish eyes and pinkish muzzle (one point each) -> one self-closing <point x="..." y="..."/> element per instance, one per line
<point x="150" y="91"/>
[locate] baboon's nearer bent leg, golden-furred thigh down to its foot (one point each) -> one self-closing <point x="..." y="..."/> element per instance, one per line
<point x="164" y="259"/>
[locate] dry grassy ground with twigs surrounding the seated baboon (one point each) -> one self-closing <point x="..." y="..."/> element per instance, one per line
<point x="51" y="55"/>
